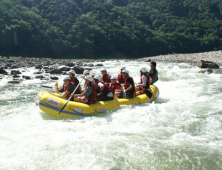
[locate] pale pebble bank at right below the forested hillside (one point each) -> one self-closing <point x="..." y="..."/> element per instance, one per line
<point x="192" y="58"/>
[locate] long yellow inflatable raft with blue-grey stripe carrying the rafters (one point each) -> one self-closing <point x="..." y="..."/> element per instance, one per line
<point x="51" y="103"/>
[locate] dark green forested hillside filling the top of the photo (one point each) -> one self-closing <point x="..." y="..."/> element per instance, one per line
<point x="97" y="28"/>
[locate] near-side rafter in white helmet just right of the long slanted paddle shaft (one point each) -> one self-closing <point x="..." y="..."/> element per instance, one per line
<point x="89" y="95"/>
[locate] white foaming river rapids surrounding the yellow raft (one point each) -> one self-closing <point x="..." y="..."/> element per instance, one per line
<point x="182" y="130"/>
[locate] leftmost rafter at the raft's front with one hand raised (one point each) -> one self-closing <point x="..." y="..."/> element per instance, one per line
<point x="67" y="88"/>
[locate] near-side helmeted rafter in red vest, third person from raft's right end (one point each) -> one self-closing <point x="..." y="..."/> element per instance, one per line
<point x="129" y="86"/>
